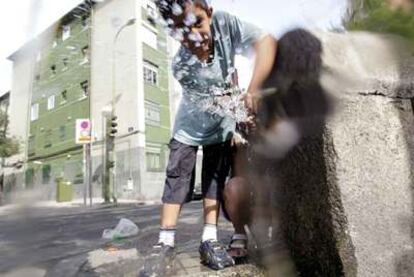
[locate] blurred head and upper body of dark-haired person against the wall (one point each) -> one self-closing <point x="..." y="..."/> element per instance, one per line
<point x="298" y="105"/>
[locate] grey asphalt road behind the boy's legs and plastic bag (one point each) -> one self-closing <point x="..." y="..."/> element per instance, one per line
<point x="42" y="237"/>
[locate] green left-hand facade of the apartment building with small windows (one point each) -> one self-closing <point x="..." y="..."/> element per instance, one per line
<point x="60" y="95"/>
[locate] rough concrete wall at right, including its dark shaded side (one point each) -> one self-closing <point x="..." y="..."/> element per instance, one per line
<point x="348" y="193"/>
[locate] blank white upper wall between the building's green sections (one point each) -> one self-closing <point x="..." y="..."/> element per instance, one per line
<point x="108" y="18"/>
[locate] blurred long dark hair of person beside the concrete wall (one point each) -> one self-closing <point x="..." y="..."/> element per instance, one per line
<point x="295" y="75"/>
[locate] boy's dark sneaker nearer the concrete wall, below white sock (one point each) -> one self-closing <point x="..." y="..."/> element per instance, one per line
<point x="214" y="255"/>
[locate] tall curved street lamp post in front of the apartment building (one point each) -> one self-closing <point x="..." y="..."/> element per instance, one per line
<point x="111" y="129"/>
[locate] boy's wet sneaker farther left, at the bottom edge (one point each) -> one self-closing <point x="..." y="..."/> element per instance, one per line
<point x="159" y="261"/>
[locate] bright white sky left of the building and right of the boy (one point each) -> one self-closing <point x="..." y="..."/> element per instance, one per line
<point x="21" y="20"/>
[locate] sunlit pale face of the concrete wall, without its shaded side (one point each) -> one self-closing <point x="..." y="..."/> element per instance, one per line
<point x="373" y="141"/>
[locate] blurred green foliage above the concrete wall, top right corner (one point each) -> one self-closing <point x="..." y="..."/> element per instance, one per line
<point x="377" y="16"/>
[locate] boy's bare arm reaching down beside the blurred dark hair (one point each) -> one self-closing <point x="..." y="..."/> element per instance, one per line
<point x="265" y="50"/>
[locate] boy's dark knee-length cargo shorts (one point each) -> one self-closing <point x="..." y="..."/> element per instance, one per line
<point x="179" y="183"/>
